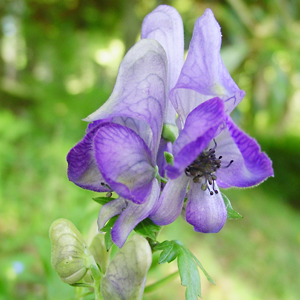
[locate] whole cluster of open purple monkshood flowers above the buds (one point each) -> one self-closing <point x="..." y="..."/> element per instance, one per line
<point x="162" y="103"/>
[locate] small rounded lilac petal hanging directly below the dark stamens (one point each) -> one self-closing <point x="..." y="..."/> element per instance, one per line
<point x="207" y="213"/>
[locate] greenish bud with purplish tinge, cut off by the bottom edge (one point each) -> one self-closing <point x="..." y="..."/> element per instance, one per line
<point x="126" y="274"/>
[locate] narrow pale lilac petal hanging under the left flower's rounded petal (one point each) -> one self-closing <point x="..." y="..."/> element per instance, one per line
<point x="134" y="214"/>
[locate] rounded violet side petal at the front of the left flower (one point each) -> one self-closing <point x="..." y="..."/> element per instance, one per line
<point x="124" y="160"/>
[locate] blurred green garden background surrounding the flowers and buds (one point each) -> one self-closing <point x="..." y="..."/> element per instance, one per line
<point x="58" y="63"/>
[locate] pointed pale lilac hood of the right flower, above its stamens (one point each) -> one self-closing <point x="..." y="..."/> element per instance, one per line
<point x="204" y="75"/>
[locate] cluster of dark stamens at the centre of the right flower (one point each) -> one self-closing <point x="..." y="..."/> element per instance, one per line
<point x="204" y="167"/>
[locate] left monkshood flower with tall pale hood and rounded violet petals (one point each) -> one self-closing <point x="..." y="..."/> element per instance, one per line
<point x="118" y="152"/>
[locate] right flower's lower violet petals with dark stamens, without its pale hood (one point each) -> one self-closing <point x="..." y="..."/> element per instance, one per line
<point x="210" y="151"/>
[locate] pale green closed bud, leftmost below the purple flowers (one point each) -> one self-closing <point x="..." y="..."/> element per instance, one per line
<point x="70" y="257"/>
